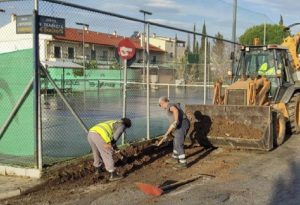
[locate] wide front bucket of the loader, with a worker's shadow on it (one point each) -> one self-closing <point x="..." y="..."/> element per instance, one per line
<point x="236" y="126"/>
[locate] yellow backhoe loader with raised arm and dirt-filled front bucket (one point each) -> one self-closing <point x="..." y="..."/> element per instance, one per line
<point x="260" y="108"/>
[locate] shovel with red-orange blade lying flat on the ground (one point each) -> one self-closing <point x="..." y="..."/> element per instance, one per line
<point x="159" y="190"/>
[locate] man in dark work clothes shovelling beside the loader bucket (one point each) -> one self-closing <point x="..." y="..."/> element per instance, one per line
<point x="179" y="126"/>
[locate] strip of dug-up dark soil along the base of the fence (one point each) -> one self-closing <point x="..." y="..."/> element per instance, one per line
<point x="126" y="160"/>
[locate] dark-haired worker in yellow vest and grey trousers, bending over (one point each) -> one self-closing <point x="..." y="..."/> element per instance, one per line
<point x="102" y="139"/>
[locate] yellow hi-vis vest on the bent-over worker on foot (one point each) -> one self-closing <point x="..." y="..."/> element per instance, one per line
<point x="105" y="130"/>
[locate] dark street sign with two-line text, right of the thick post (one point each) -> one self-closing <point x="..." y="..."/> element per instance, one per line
<point x="51" y="25"/>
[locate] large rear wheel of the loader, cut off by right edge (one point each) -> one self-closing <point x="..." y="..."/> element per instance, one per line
<point x="294" y="114"/>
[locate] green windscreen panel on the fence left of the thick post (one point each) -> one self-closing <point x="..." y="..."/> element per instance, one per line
<point x="17" y="145"/>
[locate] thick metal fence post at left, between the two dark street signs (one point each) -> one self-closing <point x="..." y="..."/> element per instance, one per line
<point x="36" y="87"/>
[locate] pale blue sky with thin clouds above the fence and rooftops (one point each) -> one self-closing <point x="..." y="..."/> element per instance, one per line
<point x="217" y="14"/>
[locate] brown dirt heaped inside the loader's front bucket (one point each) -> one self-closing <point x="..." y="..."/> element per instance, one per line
<point x="228" y="128"/>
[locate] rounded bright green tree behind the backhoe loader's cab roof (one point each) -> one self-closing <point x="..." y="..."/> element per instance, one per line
<point x="274" y="34"/>
